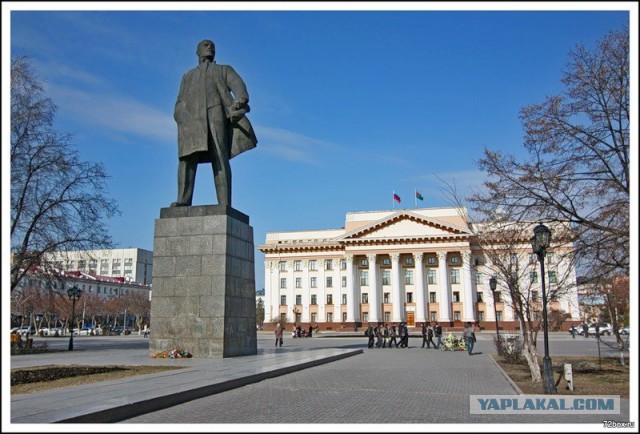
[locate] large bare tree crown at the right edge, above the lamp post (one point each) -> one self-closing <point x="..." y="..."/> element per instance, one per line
<point x="578" y="165"/>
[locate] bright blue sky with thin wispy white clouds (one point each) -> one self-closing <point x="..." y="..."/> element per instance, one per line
<point x="348" y="106"/>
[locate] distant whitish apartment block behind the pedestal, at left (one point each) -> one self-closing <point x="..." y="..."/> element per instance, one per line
<point x="132" y="264"/>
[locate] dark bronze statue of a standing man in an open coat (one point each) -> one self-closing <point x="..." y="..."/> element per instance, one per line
<point x="212" y="126"/>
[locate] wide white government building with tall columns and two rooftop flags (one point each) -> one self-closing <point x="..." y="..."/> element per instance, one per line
<point x="399" y="265"/>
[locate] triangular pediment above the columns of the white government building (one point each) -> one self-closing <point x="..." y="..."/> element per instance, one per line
<point x="406" y="224"/>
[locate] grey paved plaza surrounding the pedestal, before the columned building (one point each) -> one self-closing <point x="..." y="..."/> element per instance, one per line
<point x="319" y="380"/>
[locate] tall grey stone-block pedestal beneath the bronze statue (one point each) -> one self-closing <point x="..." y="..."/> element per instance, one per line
<point x="203" y="295"/>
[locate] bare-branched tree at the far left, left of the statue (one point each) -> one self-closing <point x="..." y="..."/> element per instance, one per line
<point x="58" y="201"/>
